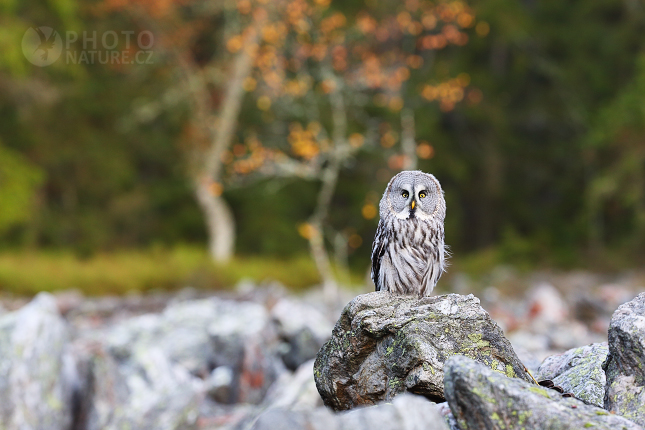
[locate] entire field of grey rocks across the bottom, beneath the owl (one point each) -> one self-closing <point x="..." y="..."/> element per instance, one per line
<point x="244" y="358"/>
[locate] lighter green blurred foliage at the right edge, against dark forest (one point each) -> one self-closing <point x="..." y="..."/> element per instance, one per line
<point x="616" y="194"/>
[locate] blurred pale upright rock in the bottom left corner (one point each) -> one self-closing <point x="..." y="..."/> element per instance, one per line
<point x="36" y="372"/>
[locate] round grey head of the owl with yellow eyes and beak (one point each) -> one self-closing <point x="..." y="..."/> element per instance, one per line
<point x="413" y="193"/>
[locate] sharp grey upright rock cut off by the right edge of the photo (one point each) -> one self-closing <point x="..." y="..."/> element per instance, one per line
<point x="625" y="391"/>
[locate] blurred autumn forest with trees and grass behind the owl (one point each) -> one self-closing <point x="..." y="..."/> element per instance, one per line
<point x="257" y="137"/>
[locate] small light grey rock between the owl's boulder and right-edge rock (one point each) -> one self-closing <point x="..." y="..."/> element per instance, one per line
<point x="579" y="371"/>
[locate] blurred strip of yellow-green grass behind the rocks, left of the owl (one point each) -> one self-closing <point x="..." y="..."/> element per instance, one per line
<point x="121" y="272"/>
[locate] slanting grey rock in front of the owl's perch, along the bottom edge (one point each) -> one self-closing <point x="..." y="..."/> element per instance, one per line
<point x="483" y="399"/>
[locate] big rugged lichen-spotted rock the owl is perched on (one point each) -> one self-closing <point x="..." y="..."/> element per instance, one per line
<point x="385" y="344"/>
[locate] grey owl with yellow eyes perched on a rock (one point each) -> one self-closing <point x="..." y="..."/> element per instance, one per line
<point x="408" y="254"/>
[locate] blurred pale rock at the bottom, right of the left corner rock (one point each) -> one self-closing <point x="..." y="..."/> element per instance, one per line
<point x="144" y="391"/>
